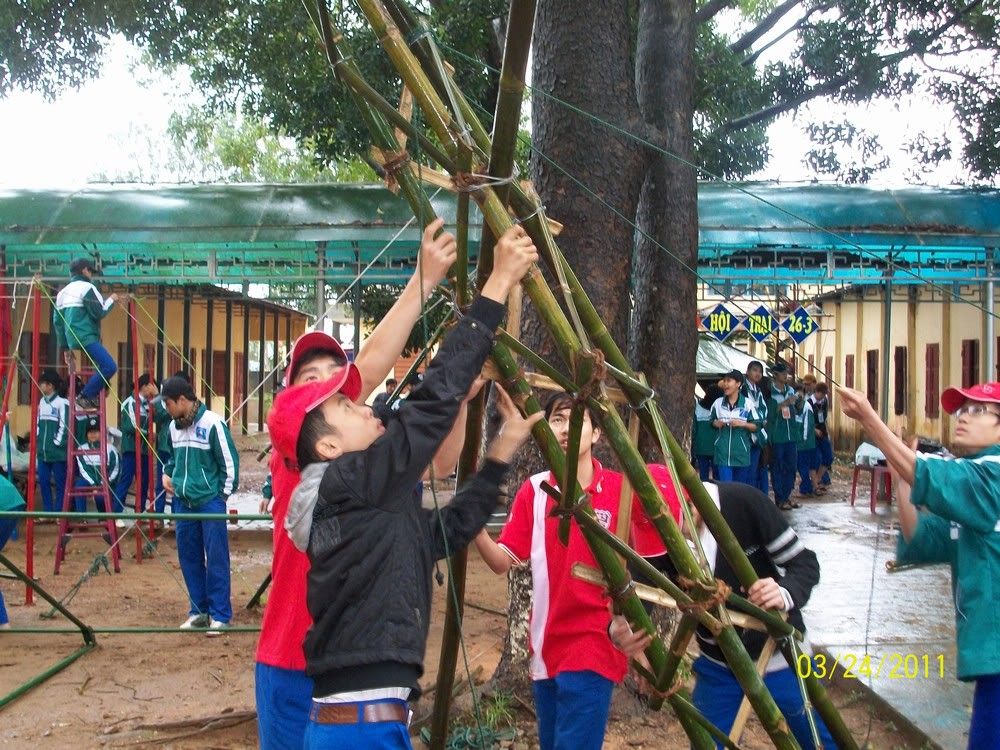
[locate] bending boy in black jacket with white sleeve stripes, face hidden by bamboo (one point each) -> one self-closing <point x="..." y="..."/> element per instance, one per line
<point x="788" y="572"/>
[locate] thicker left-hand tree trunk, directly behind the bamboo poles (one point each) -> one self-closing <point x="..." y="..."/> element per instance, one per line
<point x="581" y="54"/>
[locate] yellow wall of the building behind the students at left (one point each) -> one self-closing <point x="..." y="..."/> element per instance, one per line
<point x="114" y="331"/>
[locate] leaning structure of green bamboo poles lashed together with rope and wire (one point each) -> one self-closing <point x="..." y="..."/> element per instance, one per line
<point x="479" y="168"/>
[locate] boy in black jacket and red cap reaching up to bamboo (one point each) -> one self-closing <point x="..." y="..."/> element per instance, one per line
<point x="371" y="545"/>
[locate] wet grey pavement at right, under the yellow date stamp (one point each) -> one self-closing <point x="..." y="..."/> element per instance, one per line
<point x="902" y="621"/>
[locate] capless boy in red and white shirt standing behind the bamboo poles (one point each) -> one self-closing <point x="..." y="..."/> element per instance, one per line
<point x="578" y="651"/>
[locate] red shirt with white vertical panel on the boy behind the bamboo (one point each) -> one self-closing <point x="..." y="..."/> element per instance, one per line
<point x="570" y="617"/>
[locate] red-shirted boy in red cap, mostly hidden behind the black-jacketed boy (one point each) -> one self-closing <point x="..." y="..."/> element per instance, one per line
<point x="283" y="690"/>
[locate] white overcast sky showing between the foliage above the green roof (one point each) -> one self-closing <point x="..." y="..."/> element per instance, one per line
<point x="119" y="120"/>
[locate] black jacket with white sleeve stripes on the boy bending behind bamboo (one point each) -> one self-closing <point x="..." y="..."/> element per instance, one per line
<point x="774" y="550"/>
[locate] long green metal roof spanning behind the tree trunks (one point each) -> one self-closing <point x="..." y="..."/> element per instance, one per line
<point x="751" y="232"/>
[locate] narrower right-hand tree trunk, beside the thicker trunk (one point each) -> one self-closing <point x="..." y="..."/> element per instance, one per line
<point x="664" y="340"/>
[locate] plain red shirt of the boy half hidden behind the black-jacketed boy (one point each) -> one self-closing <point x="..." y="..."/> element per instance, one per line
<point x="286" y="617"/>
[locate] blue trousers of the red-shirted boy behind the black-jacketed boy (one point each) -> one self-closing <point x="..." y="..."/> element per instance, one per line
<point x="284" y="697"/>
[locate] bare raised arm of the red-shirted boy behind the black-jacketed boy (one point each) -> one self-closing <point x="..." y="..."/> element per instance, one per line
<point x="383" y="347"/>
